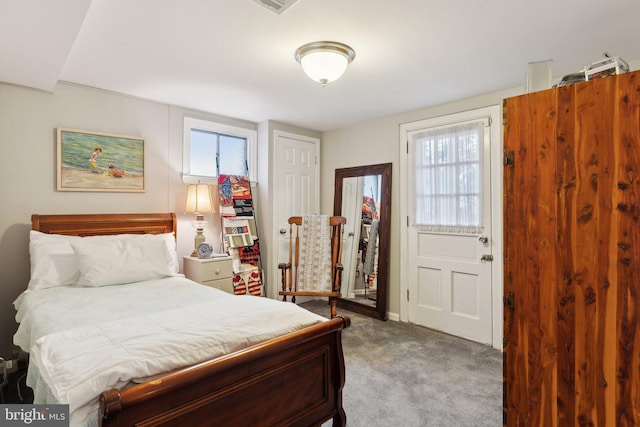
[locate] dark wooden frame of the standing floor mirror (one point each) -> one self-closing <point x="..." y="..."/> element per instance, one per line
<point x="384" y="236"/>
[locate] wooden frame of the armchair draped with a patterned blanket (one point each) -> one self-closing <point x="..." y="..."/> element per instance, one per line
<point x="291" y="283"/>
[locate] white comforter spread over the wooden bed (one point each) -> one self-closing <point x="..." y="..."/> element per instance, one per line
<point x="86" y="340"/>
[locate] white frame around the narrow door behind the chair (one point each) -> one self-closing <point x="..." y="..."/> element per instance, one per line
<point x="274" y="285"/>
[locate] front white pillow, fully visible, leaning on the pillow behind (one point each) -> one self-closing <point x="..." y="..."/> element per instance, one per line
<point x="114" y="262"/>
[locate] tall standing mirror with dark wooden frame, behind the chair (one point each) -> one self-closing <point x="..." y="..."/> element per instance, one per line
<point x="363" y="196"/>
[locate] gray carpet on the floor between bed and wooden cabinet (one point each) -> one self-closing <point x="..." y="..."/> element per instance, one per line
<point x="404" y="375"/>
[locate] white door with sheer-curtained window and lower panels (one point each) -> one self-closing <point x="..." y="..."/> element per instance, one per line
<point x="449" y="234"/>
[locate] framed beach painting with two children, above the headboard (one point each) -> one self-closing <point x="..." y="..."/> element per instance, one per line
<point x="90" y="161"/>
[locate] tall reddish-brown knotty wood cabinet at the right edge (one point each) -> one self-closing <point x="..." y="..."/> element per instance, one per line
<point x="572" y="255"/>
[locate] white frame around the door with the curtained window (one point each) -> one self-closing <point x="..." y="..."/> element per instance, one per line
<point x="494" y="112"/>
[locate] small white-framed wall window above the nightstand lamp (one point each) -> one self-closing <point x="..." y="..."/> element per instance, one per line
<point x="211" y="149"/>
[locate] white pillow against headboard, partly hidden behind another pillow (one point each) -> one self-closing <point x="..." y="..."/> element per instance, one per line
<point x="54" y="263"/>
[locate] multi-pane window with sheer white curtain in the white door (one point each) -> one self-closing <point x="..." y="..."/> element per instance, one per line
<point x="448" y="178"/>
